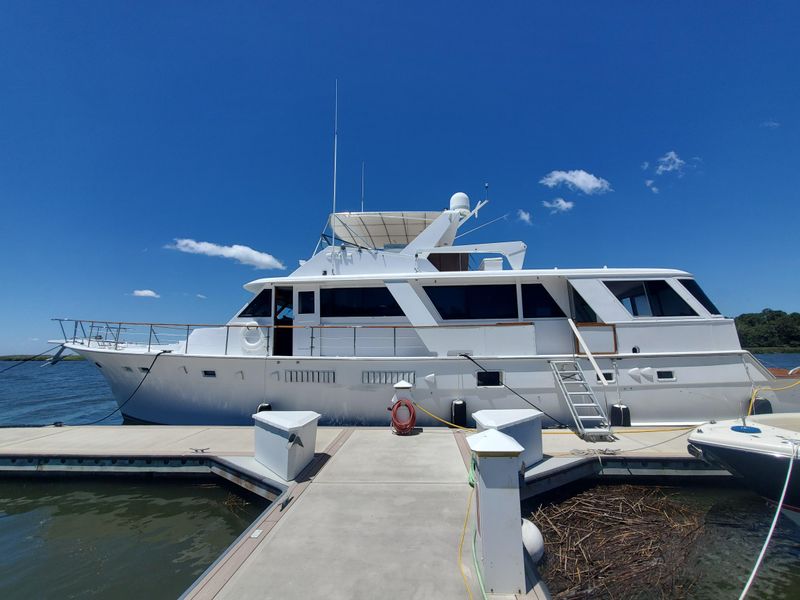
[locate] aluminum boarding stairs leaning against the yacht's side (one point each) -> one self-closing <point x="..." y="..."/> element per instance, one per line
<point x="590" y="418"/>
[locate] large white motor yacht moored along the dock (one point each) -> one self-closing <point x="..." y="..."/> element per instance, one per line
<point x="394" y="296"/>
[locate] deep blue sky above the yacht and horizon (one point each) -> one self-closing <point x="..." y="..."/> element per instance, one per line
<point x="125" y="126"/>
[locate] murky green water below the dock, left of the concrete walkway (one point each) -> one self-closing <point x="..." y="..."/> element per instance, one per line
<point x="113" y="538"/>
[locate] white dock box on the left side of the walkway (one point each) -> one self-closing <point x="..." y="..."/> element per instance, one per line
<point x="285" y="440"/>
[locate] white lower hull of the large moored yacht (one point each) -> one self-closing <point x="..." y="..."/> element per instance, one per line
<point x="226" y="390"/>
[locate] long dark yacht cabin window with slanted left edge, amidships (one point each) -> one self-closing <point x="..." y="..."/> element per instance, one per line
<point x="474" y="301"/>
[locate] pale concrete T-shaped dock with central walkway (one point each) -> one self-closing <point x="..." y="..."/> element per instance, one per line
<point x="374" y="515"/>
